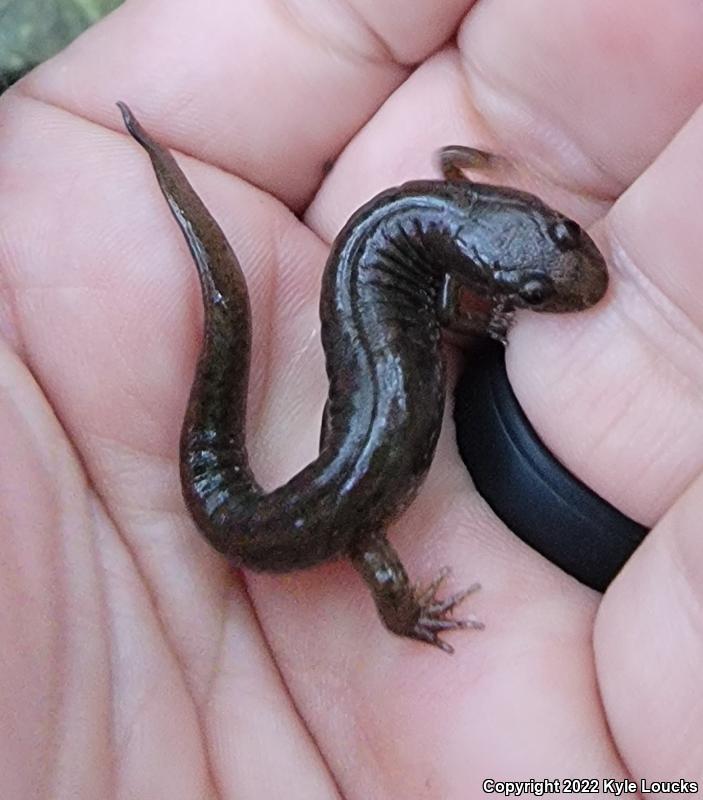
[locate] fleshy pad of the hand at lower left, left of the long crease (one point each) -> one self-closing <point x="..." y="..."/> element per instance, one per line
<point x="68" y="600"/>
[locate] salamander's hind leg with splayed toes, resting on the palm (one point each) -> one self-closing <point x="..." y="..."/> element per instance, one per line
<point x="405" y="609"/>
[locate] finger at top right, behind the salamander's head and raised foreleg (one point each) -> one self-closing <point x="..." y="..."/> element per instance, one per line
<point x="585" y="94"/>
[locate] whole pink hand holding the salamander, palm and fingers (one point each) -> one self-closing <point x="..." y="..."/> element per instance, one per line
<point x="136" y="663"/>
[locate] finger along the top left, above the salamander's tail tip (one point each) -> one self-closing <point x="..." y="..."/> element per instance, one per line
<point x="269" y="91"/>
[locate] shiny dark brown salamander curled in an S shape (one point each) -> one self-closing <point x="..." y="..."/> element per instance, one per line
<point x="393" y="279"/>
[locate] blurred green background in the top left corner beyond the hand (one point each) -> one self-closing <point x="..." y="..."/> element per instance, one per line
<point x="33" y="30"/>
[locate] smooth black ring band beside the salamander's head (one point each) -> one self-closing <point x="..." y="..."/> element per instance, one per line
<point x="535" y="495"/>
